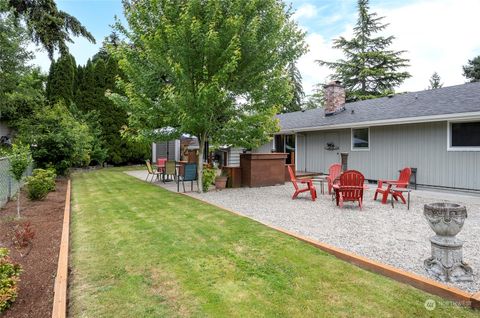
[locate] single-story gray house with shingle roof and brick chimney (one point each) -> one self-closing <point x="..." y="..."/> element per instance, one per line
<point x="436" y="131"/>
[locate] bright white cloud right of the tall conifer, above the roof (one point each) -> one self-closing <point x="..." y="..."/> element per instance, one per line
<point x="439" y="36"/>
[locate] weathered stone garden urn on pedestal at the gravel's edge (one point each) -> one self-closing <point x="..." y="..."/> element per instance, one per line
<point x="446" y="263"/>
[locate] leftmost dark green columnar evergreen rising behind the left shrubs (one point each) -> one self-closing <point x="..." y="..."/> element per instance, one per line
<point x="61" y="80"/>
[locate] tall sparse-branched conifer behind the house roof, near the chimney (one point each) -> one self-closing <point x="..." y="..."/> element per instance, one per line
<point x="369" y="69"/>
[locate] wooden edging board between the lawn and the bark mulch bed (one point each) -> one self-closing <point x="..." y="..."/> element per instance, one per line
<point x="61" y="280"/>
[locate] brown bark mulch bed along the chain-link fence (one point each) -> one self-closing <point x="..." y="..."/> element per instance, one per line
<point x="35" y="297"/>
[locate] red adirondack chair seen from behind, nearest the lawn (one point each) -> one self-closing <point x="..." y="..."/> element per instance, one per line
<point x="350" y="188"/>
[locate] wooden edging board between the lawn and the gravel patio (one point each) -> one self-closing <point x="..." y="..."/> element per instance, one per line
<point x="420" y="282"/>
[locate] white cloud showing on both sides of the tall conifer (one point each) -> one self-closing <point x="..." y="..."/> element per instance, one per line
<point x="438" y="35"/>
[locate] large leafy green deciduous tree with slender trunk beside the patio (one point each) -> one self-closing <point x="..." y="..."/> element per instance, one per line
<point x="210" y="68"/>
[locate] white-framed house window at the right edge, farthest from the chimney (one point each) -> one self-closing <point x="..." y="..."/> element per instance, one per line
<point x="464" y="136"/>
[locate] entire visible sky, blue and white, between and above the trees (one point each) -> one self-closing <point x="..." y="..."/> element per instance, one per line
<point x="437" y="35"/>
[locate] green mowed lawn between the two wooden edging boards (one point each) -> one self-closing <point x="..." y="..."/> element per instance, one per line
<point x="141" y="251"/>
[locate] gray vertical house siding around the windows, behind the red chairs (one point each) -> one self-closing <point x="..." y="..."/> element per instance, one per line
<point x="423" y="146"/>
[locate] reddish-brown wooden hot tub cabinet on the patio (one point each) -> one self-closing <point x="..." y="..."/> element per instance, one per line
<point x="262" y="169"/>
